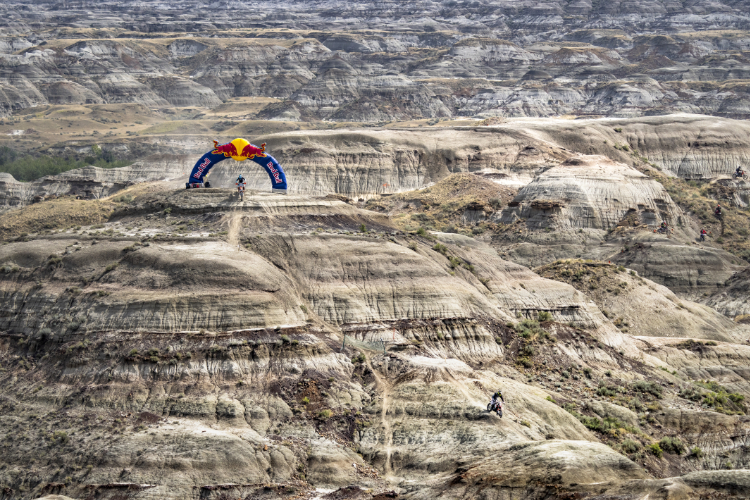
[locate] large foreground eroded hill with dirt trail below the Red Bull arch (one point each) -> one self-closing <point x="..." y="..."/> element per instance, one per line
<point x="192" y="346"/>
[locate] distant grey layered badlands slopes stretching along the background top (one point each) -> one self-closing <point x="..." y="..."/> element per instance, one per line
<point x="359" y="62"/>
